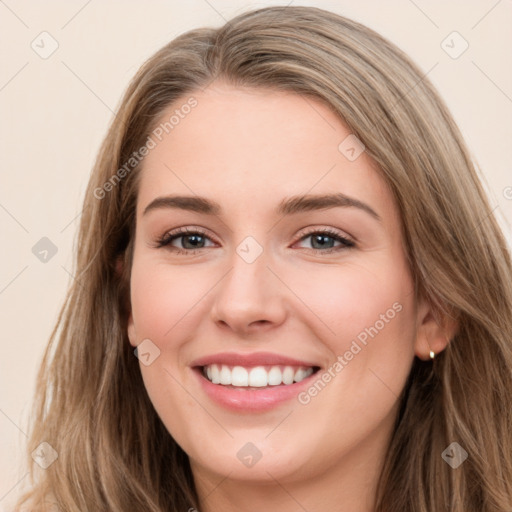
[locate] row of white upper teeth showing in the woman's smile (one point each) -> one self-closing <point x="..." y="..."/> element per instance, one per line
<point x="257" y="376"/>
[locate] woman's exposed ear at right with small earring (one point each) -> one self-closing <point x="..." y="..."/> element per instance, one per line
<point x="434" y="331"/>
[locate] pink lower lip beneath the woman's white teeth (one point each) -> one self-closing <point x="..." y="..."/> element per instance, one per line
<point x="251" y="399"/>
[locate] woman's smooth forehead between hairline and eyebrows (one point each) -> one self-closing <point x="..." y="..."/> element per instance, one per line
<point x="245" y="146"/>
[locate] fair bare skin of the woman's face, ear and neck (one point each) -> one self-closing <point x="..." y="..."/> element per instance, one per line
<point x="248" y="149"/>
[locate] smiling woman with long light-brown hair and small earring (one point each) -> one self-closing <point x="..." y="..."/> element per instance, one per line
<point x="291" y="291"/>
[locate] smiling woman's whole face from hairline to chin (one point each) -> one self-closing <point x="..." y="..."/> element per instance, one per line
<point x="274" y="183"/>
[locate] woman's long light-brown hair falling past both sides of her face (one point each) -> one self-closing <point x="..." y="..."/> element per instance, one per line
<point x="114" y="452"/>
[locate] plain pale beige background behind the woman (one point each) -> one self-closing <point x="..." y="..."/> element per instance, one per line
<point x="54" y="113"/>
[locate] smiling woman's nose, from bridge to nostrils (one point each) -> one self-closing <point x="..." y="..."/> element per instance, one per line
<point x="249" y="299"/>
